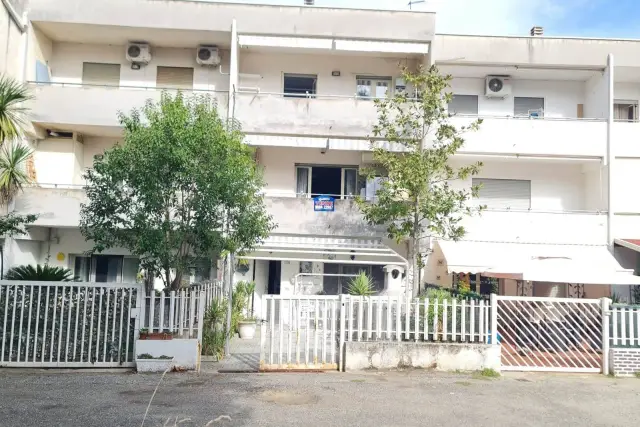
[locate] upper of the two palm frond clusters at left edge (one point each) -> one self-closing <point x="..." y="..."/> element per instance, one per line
<point x="13" y="119"/>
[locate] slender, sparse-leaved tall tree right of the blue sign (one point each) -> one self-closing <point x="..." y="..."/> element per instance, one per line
<point x="415" y="200"/>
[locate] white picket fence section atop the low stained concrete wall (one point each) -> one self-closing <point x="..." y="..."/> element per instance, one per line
<point x="402" y="319"/>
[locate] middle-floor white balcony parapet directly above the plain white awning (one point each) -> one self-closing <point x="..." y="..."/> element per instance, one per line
<point x="580" y="228"/>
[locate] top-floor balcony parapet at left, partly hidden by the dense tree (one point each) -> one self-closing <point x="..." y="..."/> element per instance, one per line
<point x="75" y="106"/>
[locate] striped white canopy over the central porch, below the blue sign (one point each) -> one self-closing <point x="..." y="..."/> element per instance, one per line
<point x="326" y="249"/>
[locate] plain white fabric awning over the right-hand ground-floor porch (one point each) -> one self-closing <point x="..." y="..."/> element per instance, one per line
<point x="537" y="262"/>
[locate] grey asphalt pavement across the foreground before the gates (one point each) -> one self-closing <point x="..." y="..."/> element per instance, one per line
<point x="411" y="398"/>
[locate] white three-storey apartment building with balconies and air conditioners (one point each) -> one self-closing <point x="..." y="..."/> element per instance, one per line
<point x="301" y="80"/>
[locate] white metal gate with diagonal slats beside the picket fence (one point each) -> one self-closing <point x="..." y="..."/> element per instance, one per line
<point x="550" y="334"/>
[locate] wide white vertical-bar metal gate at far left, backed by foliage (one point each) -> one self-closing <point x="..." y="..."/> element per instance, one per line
<point x="68" y="324"/>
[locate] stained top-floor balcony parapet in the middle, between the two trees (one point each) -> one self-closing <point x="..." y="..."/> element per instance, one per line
<point x="323" y="115"/>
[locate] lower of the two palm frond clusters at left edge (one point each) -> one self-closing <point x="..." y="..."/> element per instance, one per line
<point x="13" y="172"/>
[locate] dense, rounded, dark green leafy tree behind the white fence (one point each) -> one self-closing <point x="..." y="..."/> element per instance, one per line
<point x="181" y="187"/>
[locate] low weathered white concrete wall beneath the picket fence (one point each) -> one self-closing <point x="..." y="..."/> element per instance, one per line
<point x="439" y="356"/>
